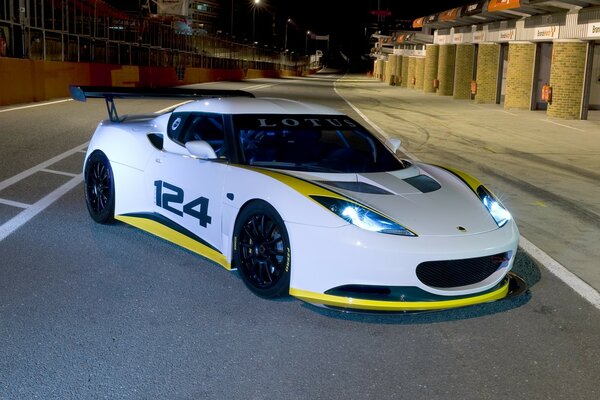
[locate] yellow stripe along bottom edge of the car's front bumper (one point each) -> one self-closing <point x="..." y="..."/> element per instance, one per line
<point x="362" y="304"/>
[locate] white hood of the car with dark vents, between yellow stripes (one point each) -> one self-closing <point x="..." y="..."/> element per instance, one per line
<point x="427" y="200"/>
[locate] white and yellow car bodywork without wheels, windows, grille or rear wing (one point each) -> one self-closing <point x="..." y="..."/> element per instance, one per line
<point x="333" y="262"/>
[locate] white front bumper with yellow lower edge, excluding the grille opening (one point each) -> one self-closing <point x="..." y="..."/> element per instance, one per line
<point x="385" y="266"/>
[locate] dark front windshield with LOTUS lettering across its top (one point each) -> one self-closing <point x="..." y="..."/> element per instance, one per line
<point x="321" y="143"/>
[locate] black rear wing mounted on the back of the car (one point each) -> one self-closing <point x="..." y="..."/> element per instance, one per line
<point x="109" y="93"/>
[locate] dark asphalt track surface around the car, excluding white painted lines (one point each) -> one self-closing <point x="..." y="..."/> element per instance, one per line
<point x="91" y="311"/>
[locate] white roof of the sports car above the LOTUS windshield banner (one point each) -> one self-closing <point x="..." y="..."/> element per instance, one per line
<point x="262" y="105"/>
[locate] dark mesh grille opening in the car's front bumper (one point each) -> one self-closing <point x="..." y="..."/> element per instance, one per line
<point x="455" y="273"/>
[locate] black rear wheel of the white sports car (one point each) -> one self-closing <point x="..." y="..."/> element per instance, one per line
<point x="99" y="186"/>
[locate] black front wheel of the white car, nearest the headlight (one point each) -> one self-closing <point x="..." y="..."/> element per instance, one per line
<point x="262" y="250"/>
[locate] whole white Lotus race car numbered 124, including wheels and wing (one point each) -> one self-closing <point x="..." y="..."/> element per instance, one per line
<point x="302" y="200"/>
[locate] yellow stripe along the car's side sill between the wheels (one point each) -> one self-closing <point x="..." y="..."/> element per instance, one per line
<point x="173" y="236"/>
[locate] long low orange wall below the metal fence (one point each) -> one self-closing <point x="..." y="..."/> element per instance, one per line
<point x="25" y="81"/>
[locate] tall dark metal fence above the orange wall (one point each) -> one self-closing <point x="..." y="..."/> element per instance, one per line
<point x="93" y="31"/>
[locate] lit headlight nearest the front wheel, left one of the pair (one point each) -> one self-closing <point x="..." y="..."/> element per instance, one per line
<point x="362" y="216"/>
